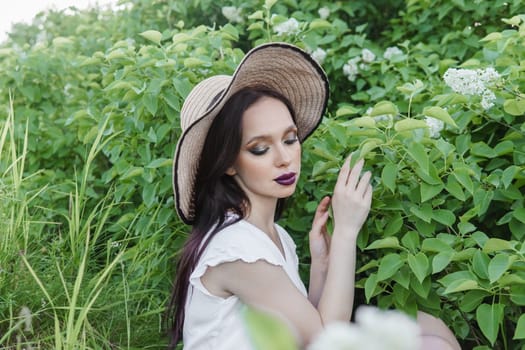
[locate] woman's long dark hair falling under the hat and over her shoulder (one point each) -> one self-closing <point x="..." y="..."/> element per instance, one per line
<point x="216" y="194"/>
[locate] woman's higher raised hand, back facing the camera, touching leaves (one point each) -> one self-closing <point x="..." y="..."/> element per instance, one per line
<point x="352" y="197"/>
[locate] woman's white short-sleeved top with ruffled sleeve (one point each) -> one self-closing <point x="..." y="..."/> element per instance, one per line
<point x="215" y="323"/>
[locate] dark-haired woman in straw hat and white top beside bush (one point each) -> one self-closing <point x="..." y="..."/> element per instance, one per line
<point x="236" y="161"/>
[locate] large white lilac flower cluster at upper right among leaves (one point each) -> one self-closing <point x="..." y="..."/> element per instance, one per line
<point x="473" y="82"/>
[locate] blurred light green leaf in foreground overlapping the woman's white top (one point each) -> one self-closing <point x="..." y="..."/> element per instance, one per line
<point x="267" y="331"/>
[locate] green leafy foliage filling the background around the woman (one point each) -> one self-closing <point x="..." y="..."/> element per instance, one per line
<point x="99" y="94"/>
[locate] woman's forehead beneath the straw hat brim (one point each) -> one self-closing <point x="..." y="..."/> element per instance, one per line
<point x="267" y="116"/>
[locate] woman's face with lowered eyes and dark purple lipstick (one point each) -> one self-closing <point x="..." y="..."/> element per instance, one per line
<point x="269" y="161"/>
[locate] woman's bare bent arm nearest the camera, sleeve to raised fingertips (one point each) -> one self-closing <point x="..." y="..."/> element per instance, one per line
<point x="268" y="287"/>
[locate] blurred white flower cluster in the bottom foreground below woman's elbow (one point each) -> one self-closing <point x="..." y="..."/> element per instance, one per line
<point x="374" y="330"/>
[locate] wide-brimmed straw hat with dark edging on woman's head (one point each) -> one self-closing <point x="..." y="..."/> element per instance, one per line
<point x="276" y="66"/>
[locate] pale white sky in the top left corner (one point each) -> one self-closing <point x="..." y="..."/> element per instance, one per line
<point x="15" y="11"/>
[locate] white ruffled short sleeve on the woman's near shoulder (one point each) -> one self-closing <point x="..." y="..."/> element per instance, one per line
<point x="238" y="241"/>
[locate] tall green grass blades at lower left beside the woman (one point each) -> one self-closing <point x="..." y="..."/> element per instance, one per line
<point x="72" y="285"/>
